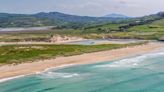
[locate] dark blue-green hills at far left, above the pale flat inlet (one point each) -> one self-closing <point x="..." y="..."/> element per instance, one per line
<point x="24" y="20"/>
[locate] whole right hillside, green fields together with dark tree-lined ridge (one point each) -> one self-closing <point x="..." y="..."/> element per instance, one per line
<point x="147" y="27"/>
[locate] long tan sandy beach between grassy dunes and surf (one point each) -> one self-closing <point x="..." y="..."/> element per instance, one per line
<point x="7" y="71"/>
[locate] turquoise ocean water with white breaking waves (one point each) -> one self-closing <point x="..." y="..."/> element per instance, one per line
<point x="144" y="73"/>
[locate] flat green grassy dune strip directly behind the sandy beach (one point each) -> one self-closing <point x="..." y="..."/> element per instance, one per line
<point x="22" y="53"/>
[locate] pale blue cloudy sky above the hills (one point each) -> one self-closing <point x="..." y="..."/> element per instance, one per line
<point x="84" y="7"/>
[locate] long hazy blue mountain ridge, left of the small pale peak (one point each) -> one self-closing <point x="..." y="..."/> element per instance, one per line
<point x="73" y="18"/>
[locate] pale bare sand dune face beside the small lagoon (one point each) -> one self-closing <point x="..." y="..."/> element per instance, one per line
<point x="60" y="39"/>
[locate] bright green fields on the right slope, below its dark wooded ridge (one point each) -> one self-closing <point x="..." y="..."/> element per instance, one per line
<point x="153" y="30"/>
